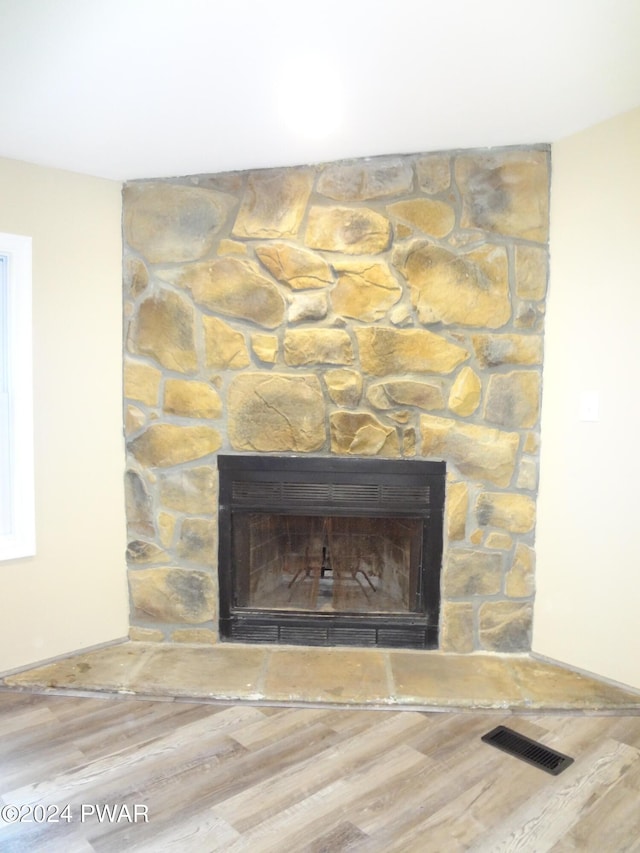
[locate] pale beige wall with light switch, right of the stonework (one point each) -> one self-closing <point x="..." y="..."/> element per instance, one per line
<point x="587" y="611"/>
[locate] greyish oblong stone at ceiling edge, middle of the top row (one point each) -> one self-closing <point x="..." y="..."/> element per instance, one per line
<point x="365" y="179"/>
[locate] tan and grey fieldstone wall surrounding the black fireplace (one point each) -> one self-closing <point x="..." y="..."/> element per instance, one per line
<point x="387" y="307"/>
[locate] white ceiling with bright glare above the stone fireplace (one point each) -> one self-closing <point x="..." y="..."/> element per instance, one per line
<point x="128" y="89"/>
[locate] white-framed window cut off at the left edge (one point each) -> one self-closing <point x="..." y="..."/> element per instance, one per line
<point x="17" y="505"/>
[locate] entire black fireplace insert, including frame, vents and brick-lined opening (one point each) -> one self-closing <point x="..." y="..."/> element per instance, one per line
<point x="330" y="551"/>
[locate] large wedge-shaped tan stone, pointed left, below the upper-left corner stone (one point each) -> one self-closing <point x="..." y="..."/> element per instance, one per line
<point x="232" y="287"/>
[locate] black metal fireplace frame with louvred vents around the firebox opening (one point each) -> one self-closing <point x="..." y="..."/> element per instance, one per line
<point x="337" y="486"/>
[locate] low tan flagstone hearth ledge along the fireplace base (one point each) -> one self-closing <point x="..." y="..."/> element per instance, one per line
<point x="372" y="678"/>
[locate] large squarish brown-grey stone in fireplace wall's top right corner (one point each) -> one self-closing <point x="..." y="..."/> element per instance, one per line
<point x="505" y="192"/>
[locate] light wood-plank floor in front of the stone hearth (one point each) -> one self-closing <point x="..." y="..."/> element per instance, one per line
<point x="214" y="777"/>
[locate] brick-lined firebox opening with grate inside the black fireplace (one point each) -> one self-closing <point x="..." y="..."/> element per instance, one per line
<point x="328" y="563"/>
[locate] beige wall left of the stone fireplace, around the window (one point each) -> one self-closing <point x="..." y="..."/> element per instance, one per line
<point x="72" y="594"/>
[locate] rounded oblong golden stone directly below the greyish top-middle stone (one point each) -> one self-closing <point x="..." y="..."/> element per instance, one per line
<point x="354" y="231"/>
